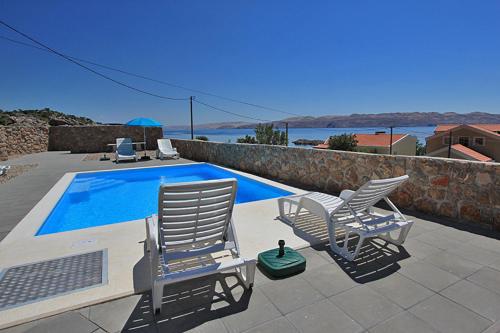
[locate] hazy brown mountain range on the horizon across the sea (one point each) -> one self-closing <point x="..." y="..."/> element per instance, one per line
<point x="398" y="119"/>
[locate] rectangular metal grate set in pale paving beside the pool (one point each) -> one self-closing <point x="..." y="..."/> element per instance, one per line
<point x="20" y="285"/>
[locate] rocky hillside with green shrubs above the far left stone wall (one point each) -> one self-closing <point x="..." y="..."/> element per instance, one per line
<point x="42" y="117"/>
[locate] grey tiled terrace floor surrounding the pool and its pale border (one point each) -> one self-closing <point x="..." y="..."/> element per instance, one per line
<point x="443" y="280"/>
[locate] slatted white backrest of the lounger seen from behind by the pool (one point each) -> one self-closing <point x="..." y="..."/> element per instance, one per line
<point x="195" y="212"/>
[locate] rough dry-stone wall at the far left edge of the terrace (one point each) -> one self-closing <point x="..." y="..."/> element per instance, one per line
<point x="20" y="140"/>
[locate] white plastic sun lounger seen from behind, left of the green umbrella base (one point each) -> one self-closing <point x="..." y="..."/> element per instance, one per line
<point x="193" y="235"/>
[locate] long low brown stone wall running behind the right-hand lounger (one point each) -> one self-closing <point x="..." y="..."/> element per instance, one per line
<point x="459" y="190"/>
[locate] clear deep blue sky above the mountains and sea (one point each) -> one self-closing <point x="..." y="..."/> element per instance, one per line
<point x="307" y="57"/>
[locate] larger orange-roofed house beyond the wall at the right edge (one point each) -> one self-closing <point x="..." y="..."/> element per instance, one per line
<point x="474" y="142"/>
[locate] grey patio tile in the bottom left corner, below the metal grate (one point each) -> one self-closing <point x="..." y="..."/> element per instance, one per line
<point x="66" y="322"/>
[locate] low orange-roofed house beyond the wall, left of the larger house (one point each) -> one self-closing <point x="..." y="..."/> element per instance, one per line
<point x="380" y="143"/>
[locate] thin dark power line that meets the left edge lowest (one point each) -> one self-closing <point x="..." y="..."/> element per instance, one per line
<point x="144" y="77"/>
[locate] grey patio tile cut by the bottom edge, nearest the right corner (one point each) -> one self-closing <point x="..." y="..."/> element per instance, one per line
<point x="449" y="317"/>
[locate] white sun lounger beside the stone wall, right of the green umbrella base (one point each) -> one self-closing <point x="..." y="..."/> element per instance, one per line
<point x="352" y="212"/>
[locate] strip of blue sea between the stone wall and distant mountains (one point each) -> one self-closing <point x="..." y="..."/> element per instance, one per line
<point x="231" y="135"/>
